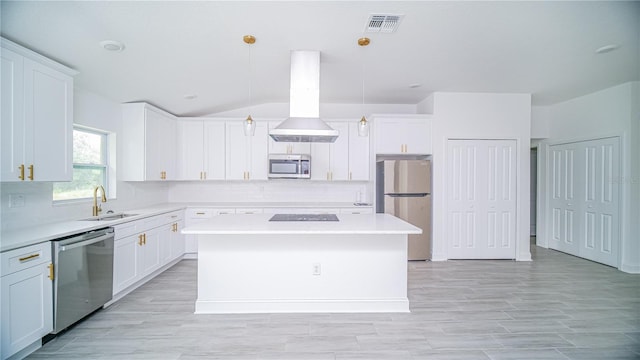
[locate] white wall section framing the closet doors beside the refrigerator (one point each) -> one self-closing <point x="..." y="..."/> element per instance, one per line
<point x="480" y="116"/>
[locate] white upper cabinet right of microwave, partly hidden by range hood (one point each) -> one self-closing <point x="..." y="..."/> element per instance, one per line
<point x="330" y="161"/>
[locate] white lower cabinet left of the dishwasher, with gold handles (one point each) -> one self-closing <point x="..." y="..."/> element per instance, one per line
<point x="26" y="299"/>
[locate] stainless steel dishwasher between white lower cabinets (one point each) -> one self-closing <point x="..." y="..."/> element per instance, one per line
<point x="83" y="282"/>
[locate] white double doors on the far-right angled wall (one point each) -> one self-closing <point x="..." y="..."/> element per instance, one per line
<point x="584" y="199"/>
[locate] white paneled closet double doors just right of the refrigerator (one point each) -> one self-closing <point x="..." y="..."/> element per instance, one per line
<point x="481" y="198"/>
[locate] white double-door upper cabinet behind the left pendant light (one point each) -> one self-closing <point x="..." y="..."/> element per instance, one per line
<point x="246" y="156"/>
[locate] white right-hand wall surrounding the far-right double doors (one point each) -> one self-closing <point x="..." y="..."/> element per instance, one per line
<point x="610" y="112"/>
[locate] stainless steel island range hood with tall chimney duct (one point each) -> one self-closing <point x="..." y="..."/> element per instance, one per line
<point x="304" y="123"/>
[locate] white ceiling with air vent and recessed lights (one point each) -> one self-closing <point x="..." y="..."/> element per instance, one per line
<point x="179" y="48"/>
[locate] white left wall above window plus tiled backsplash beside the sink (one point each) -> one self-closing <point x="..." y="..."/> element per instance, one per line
<point x="94" y="111"/>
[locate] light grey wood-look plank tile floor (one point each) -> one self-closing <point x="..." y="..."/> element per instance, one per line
<point x="556" y="307"/>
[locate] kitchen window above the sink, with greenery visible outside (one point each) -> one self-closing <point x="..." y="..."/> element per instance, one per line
<point x="90" y="166"/>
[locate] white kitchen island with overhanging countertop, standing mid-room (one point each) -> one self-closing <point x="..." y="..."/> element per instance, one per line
<point x="248" y="264"/>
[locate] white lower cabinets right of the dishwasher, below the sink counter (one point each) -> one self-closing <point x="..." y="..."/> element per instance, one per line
<point x="145" y="246"/>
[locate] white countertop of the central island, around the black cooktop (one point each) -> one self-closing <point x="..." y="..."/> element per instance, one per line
<point x="259" y="224"/>
